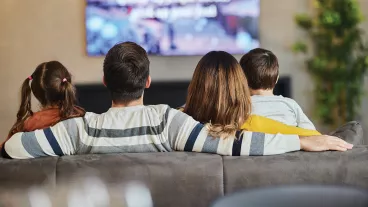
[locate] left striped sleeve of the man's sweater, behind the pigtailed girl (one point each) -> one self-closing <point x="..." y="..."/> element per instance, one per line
<point x="52" y="141"/>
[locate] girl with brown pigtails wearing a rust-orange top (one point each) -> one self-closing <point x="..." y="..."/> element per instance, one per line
<point x="51" y="84"/>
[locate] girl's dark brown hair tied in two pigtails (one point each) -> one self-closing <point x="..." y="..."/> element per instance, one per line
<point x="52" y="87"/>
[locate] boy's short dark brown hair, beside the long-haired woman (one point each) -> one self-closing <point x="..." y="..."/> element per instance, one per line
<point x="261" y="68"/>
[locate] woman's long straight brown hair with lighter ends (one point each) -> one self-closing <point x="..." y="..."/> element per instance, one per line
<point x="218" y="94"/>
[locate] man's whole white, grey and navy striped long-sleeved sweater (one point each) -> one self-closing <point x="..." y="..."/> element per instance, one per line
<point x="156" y="128"/>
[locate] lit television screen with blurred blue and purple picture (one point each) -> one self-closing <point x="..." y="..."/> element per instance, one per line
<point x="173" y="27"/>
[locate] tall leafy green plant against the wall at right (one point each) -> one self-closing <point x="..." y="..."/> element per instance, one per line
<point x="337" y="58"/>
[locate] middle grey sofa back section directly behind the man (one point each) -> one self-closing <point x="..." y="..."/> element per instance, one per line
<point x="175" y="179"/>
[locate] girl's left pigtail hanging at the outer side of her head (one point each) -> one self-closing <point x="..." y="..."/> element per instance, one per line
<point x="25" y="109"/>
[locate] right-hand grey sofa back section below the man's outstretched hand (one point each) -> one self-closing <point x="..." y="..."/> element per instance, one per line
<point x="348" y="167"/>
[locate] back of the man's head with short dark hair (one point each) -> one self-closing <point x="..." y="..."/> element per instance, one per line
<point x="126" y="69"/>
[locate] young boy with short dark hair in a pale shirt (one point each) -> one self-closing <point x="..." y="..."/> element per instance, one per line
<point x="261" y="68"/>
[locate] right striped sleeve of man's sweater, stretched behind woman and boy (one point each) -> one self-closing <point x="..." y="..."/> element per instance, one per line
<point x="186" y="134"/>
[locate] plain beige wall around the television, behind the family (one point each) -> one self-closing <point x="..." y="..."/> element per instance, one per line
<point x="33" y="31"/>
